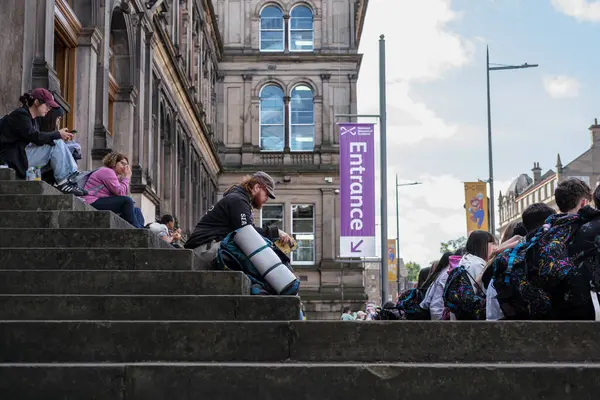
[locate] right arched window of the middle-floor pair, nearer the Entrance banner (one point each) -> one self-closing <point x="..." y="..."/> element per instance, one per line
<point x="302" y="119"/>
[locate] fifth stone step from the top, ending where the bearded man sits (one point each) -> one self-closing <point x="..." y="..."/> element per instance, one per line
<point x="25" y="258"/>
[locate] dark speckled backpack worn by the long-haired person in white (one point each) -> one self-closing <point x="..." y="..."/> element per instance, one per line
<point x="461" y="298"/>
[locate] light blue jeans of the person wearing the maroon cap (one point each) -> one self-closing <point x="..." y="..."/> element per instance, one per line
<point x="58" y="157"/>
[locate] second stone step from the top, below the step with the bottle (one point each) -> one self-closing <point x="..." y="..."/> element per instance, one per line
<point x="39" y="202"/>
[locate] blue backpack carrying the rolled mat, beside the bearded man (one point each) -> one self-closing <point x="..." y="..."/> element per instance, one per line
<point x="230" y="257"/>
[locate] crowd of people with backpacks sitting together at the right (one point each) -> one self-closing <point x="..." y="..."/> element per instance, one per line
<point x="547" y="263"/>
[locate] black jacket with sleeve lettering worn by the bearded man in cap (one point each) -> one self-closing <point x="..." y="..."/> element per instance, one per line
<point x="233" y="211"/>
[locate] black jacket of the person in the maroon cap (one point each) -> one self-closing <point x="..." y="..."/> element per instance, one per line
<point x="17" y="130"/>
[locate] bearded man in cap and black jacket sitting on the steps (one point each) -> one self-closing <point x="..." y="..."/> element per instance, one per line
<point x="234" y="211"/>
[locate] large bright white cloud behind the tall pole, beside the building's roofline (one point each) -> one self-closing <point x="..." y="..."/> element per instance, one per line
<point x="419" y="48"/>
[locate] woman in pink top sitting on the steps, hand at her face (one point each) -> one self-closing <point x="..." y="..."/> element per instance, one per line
<point x="108" y="187"/>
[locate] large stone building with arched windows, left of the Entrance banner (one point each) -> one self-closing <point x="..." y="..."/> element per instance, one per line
<point x="199" y="93"/>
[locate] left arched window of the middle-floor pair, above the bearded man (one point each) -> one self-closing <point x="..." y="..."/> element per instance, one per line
<point x="272" y="119"/>
